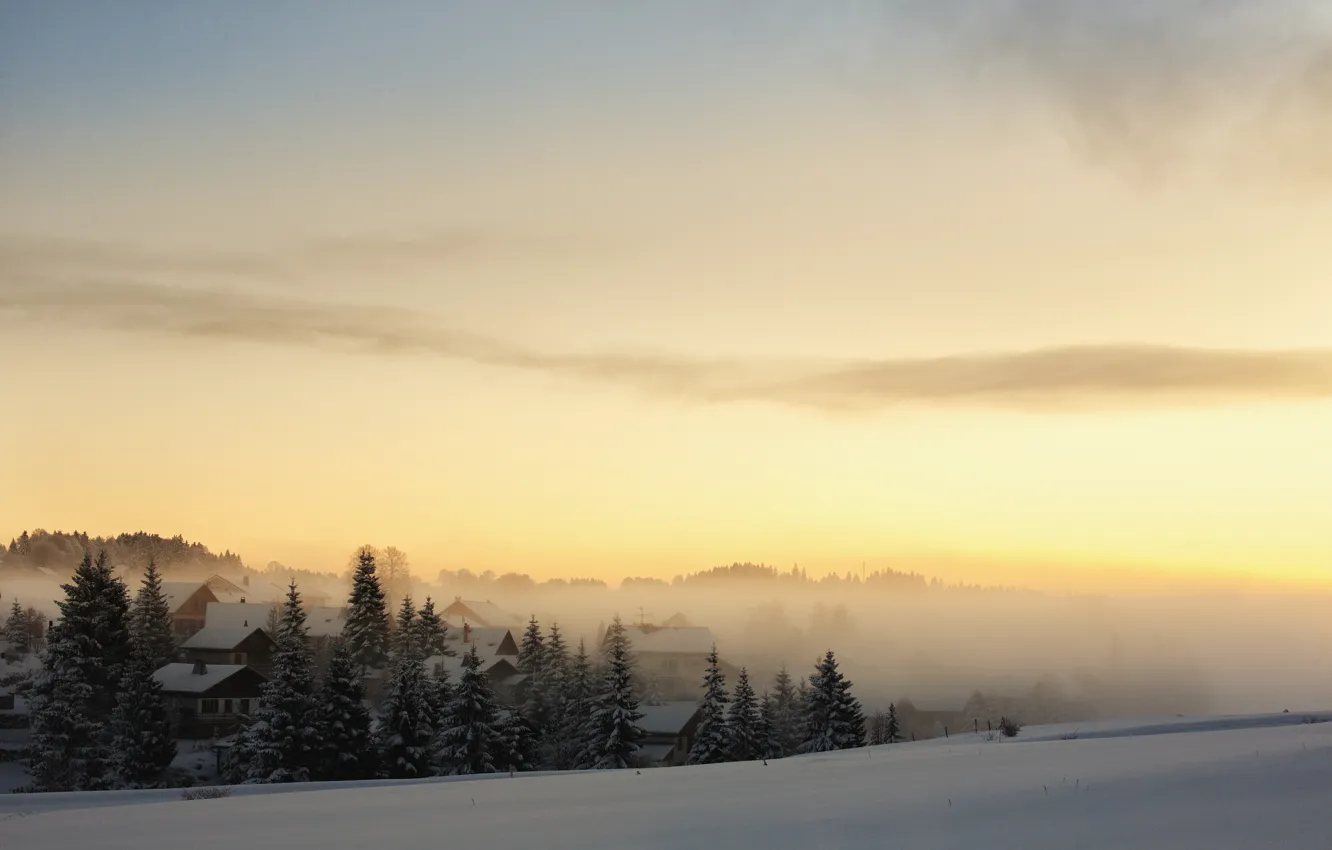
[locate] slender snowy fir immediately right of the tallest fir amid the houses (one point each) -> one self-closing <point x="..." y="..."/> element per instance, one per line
<point x="408" y="713"/>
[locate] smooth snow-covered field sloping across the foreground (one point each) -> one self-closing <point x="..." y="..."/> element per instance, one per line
<point x="1211" y="784"/>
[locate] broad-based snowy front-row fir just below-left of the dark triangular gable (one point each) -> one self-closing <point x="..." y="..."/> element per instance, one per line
<point x="470" y="741"/>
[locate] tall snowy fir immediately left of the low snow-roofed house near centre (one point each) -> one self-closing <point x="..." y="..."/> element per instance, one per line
<point x="613" y="731"/>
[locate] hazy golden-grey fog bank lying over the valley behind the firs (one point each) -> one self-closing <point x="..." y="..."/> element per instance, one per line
<point x="1049" y="656"/>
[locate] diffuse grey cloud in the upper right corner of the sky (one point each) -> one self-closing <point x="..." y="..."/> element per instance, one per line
<point x="1153" y="87"/>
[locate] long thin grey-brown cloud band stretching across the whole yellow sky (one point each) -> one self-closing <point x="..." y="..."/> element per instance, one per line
<point x="1076" y="378"/>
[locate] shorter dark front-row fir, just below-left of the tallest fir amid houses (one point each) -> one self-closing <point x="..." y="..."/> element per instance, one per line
<point x="347" y="745"/>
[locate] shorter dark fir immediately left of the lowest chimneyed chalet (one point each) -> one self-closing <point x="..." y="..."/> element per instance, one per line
<point x="142" y="741"/>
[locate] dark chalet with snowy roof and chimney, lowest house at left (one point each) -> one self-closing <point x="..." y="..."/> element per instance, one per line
<point x="210" y="699"/>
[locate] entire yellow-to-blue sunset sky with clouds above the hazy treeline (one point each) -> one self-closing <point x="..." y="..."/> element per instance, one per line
<point x="1017" y="291"/>
